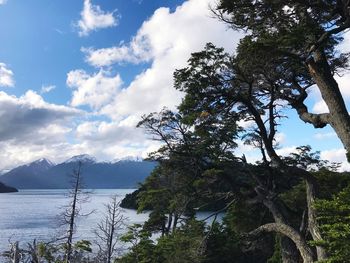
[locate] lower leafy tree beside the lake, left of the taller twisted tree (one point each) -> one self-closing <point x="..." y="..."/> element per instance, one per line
<point x="177" y="187"/>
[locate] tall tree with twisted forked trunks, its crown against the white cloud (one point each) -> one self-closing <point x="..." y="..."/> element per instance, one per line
<point x="217" y="84"/>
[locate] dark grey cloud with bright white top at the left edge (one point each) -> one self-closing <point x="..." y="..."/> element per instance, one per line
<point x="23" y="118"/>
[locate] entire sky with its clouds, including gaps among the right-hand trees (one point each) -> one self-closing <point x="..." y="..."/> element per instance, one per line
<point x="76" y="76"/>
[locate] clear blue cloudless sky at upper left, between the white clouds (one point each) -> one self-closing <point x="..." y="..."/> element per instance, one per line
<point x="41" y="43"/>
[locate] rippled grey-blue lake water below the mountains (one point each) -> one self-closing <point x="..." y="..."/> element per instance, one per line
<point x="33" y="214"/>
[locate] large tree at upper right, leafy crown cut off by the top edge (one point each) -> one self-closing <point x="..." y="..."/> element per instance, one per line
<point x="301" y="37"/>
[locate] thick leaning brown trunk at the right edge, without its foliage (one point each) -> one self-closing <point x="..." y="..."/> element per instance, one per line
<point x="339" y="116"/>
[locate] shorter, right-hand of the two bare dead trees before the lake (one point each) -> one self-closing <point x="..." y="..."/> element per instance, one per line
<point x="108" y="230"/>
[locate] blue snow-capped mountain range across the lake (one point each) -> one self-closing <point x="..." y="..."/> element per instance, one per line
<point x="43" y="174"/>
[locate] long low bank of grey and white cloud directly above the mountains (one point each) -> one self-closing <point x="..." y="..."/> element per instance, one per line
<point x="32" y="129"/>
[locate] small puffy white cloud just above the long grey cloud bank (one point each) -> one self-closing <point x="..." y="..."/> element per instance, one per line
<point x="95" y="90"/>
